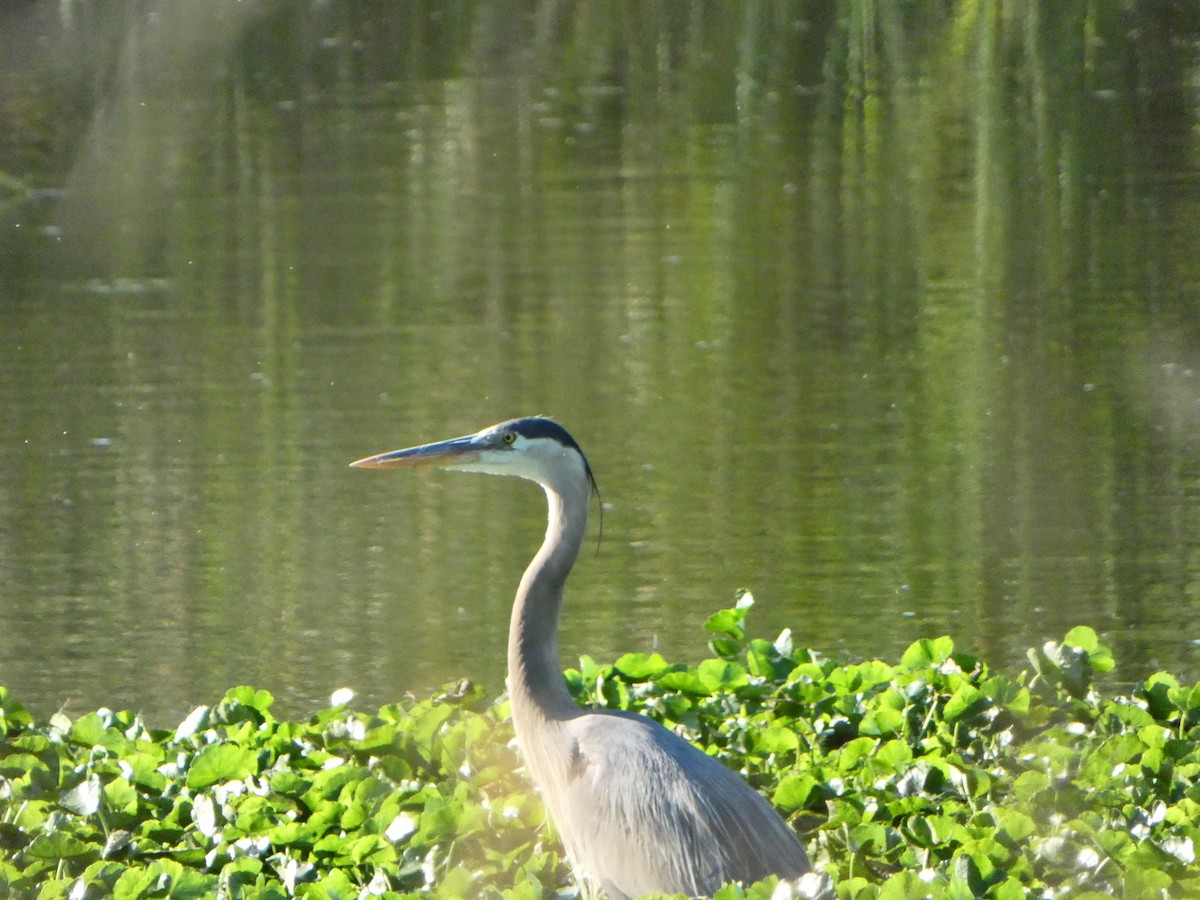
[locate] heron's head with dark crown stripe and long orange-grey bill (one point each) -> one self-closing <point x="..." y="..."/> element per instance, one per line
<point x="538" y="449"/>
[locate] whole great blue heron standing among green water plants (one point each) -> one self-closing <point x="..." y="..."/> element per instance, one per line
<point x="638" y="808"/>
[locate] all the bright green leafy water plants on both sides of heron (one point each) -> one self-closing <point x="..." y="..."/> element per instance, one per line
<point x="932" y="777"/>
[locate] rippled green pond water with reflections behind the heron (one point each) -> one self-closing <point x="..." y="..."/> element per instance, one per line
<point x="892" y="319"/>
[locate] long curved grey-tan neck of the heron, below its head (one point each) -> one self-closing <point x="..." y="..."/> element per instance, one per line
<point x="536" y="676"/>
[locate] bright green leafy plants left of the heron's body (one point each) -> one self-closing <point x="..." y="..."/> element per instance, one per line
<point x="418" y="797"/>
